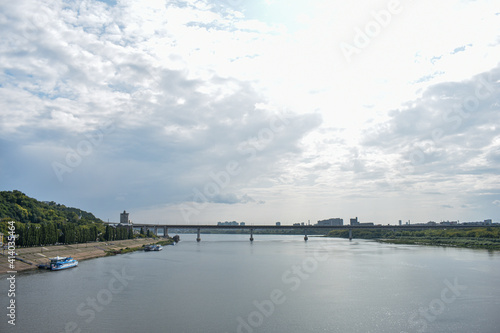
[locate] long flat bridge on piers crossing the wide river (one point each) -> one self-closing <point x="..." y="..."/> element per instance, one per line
<point x="164" y="227"/>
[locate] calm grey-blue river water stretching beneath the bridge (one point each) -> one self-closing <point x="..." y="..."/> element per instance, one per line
<point x="277" y="283"/>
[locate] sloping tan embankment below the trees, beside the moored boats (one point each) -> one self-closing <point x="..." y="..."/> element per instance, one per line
<point x="29" y="258"/>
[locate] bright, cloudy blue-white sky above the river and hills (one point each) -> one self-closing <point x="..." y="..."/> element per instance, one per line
<point x="256" y="111"/>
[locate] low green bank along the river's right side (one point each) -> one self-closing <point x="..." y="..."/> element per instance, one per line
<point x="477" y="238"/>
